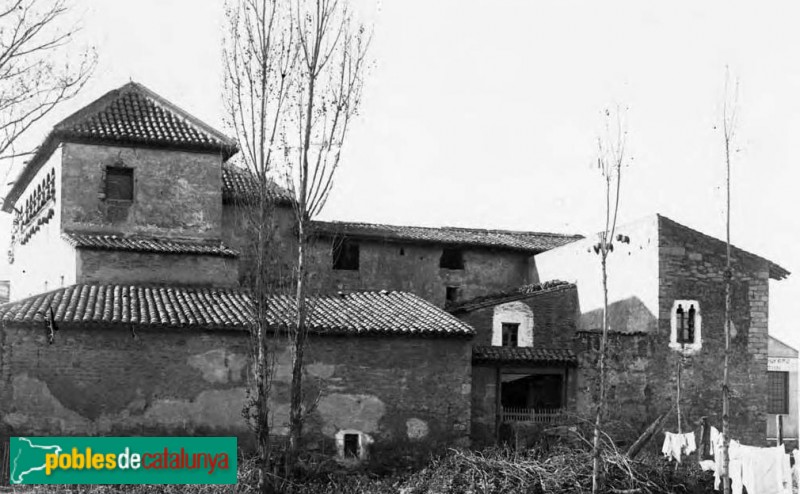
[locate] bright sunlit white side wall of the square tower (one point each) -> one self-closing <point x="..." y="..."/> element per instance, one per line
<point x="30" y="273"/>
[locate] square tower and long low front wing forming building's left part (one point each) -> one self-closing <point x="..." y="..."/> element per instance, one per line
<point x="127" y="314"/>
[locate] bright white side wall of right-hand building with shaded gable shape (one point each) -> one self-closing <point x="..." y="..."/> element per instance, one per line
<point x="632" y="281"/>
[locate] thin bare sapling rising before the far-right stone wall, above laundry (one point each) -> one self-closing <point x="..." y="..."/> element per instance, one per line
<point x="729" y="108"/>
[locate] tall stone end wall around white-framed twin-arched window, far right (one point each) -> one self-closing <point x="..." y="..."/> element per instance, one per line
<point x="691" y="266"/>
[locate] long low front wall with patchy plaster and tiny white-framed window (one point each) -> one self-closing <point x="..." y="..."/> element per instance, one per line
<point x="117" y="380"/>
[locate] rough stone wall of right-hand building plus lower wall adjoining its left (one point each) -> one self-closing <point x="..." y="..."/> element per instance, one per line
<point x="643" y="369"/>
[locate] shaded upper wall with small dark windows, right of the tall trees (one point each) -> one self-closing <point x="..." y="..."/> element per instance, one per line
<point x="415" y="268"/>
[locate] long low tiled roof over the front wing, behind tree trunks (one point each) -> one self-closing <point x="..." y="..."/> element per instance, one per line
<point x="211" y="308"/>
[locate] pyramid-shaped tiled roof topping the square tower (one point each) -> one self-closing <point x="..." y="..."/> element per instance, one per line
<point x="129" y="115"/>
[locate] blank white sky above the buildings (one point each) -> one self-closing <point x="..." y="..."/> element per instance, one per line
<point x="485" y="114"/>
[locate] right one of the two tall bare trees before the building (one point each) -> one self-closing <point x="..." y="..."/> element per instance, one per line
<point x="331" y="47"/>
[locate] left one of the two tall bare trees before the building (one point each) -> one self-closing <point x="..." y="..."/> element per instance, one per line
<point x="259" y="60"/>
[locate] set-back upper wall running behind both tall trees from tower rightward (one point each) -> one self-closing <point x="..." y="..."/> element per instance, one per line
<point x="382" y="265"/>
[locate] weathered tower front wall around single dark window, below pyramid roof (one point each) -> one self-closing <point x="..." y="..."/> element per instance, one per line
<point x="176" y="193"/>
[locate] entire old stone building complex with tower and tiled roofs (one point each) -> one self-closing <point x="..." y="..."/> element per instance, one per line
<point x="427" y="335"/>
